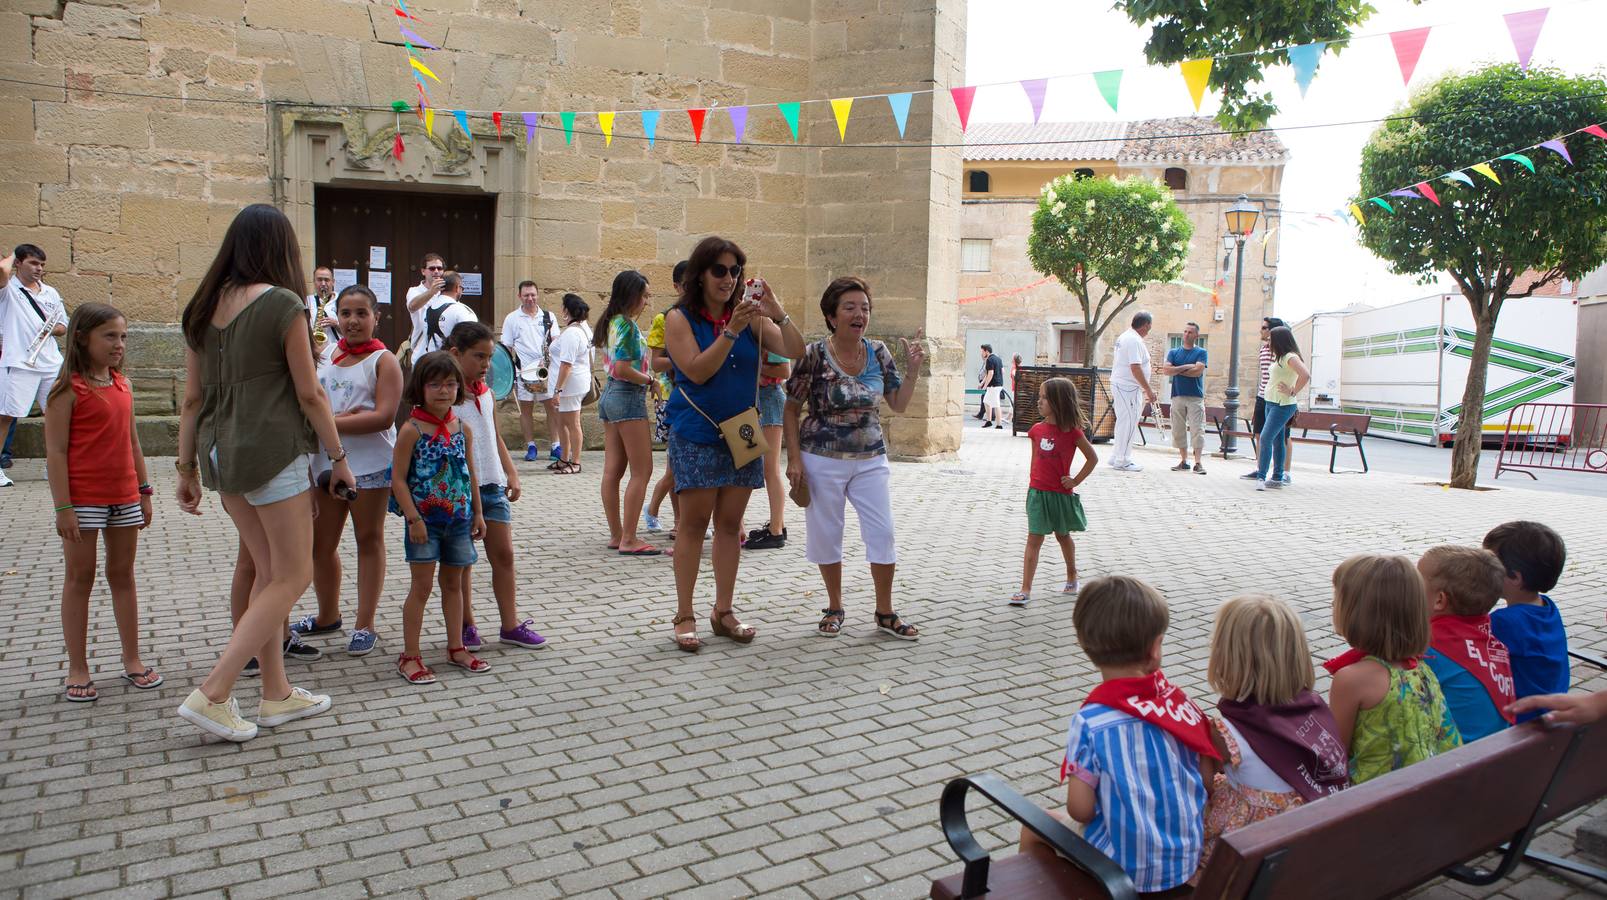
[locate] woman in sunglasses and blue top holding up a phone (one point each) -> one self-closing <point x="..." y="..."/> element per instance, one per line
<point x="716" y="343"/>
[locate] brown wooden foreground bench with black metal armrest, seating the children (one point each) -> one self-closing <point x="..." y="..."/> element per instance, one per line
<point x="1372" y="841"/>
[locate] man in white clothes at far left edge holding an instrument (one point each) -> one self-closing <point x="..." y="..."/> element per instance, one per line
<point x="28" y="308"/>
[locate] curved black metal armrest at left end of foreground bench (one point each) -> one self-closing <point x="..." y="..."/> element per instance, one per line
<point x="1066" y="843"/>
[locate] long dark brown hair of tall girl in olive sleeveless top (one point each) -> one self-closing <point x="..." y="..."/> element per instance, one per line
<point x="260" y="248"/>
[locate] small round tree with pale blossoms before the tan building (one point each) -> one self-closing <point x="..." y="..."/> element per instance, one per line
<point x="1105" y="240"/>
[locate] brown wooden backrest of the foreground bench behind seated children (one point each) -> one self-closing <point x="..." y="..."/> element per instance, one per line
<point x="1405" y="828"/>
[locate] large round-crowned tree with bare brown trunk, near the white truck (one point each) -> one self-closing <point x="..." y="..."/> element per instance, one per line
<point x="1487" y="235"/>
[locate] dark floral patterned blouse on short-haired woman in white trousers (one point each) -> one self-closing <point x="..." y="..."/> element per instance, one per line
<point x="844" y="411"/>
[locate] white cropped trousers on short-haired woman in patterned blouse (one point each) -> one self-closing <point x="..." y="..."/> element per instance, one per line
<point x="833" y="485"/>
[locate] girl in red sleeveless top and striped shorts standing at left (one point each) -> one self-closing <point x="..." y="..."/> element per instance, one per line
<point x="99" y="483"/>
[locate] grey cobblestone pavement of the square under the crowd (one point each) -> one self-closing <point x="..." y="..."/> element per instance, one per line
<point x="611" y="766"/>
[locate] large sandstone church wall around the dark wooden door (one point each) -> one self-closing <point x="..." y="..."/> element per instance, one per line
<point x="134" y="131"/>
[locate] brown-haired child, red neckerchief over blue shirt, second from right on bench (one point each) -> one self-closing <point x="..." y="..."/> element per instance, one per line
<point x="1462" y="586"/>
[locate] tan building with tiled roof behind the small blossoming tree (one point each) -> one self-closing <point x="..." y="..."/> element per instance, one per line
<point x="1007" y="303"/>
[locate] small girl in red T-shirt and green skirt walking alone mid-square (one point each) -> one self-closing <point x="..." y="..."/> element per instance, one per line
<point x="1053" y="505"/>
